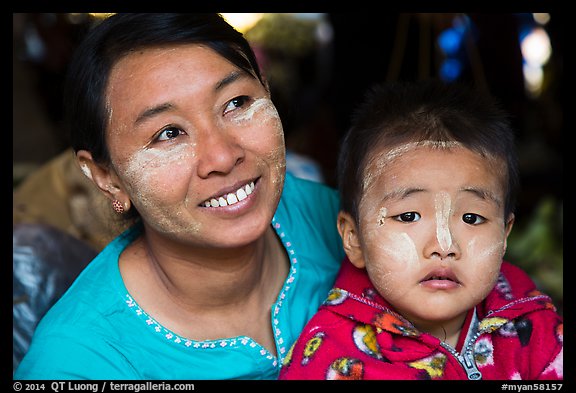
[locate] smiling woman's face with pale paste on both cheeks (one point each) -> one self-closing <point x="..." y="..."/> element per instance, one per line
<point x="196" y="143"/>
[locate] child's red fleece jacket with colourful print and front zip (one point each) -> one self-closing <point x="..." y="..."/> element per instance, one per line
<point x="515" y="333"/>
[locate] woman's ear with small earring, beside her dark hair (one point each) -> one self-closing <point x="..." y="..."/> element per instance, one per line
<point x="104" y="177"/>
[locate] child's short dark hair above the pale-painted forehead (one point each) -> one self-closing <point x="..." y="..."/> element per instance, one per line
<point x="396" y="113"/>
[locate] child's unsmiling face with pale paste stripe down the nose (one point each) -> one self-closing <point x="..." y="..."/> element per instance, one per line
<point x="431" y="230"/>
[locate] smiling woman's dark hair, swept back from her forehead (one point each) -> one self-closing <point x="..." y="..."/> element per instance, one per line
<point x="120" y="34"/>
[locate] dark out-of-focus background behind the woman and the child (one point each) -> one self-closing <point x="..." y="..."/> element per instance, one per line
<point x="319" y="65"/>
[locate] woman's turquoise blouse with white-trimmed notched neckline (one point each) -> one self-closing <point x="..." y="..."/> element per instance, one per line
<point x="97" y="331"/>
